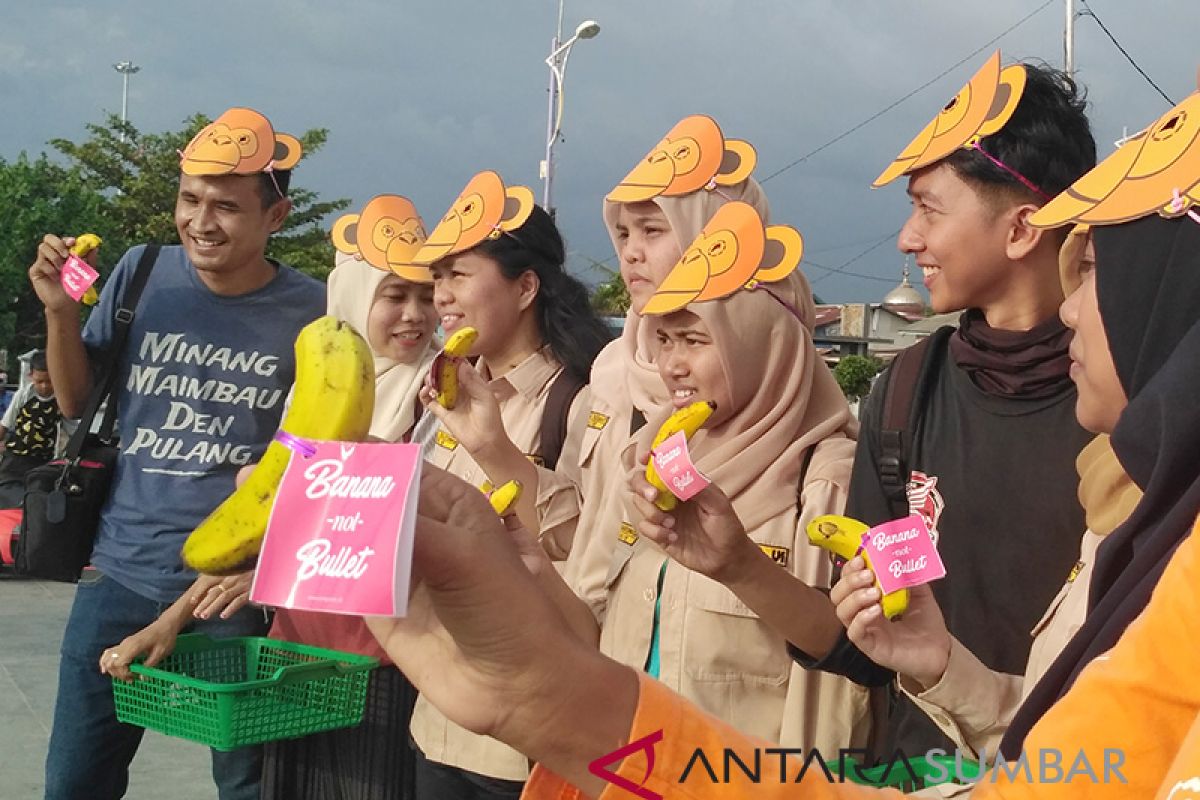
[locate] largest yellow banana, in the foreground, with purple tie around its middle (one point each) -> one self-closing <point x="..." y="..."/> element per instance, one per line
<point x="333" y="400"/>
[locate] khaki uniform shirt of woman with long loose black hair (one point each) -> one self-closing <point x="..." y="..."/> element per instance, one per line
<point x="523" y="395"/>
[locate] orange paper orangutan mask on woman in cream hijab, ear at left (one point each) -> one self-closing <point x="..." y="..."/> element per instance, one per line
<point x="388" y="234"/>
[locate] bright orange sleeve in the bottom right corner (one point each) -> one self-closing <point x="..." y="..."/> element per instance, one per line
<point x="1136" y="705"/>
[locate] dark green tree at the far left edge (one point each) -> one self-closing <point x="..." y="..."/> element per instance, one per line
<point x="37" y="196"/>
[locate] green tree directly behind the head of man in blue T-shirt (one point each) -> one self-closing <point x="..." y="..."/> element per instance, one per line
<point x="137" y="175"/>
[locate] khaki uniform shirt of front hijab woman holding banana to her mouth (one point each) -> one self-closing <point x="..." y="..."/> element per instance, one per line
<point x="715" y="651"/>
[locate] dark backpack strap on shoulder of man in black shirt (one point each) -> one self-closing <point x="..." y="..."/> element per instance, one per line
<point x="913" y="371"/>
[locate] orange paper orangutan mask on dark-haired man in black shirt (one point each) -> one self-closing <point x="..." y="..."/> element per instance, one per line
<point x="980" y="110"/>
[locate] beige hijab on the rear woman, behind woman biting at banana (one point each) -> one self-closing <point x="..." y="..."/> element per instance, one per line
<point x="626" y="369"/>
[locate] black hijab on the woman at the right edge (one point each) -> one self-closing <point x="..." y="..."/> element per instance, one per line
<point x="1148" y="279"/>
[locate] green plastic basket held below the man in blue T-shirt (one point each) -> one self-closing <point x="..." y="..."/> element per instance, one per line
<point x="243" y="691"/>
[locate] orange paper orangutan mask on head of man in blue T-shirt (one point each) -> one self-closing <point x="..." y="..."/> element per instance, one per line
<point x="241" y="142"/>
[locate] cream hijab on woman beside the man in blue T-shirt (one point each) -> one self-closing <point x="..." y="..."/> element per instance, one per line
<point x="352" y="290"/>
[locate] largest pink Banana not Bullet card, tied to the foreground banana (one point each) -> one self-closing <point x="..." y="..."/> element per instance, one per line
<point x="340" y="538"/>
